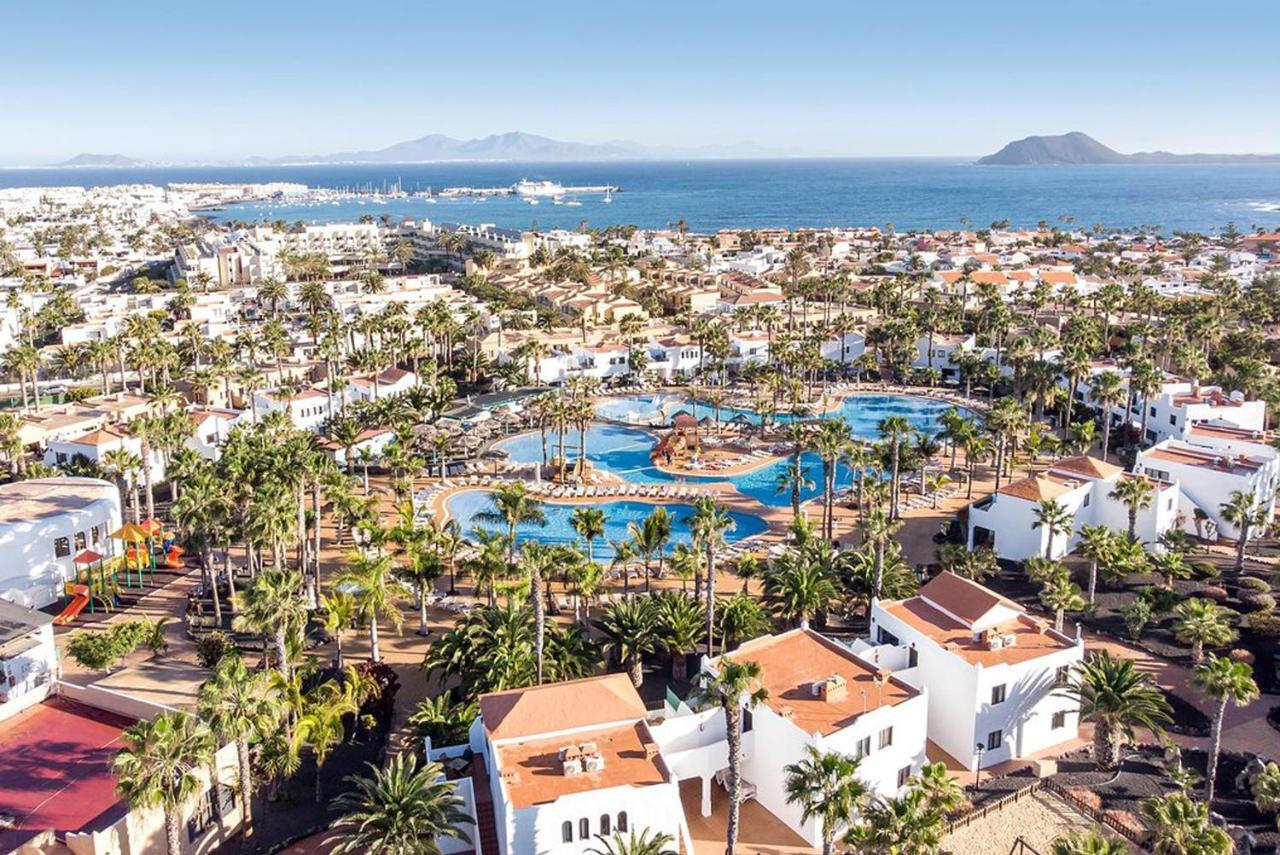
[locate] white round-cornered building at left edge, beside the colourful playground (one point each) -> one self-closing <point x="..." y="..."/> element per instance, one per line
<point x="44" y="524"/>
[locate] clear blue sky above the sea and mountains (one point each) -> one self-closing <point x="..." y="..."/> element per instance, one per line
<point x="272" y="77"/>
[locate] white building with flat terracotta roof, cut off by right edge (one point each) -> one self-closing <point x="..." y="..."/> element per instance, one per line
<point x="1209" y="474"/>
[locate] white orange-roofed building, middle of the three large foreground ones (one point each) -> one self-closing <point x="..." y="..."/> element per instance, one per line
<point x="822" y="696"/>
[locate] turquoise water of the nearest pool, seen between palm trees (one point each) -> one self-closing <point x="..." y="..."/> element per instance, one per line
<point x="464" y="507"/>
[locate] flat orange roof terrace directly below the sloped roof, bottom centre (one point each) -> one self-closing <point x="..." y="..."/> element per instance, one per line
<point x="540" y="778"/>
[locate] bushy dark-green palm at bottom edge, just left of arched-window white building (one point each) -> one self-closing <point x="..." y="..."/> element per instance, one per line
<point x="400" y="808"/>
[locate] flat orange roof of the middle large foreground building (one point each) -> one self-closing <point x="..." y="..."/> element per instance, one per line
<point x="793" y="662"/>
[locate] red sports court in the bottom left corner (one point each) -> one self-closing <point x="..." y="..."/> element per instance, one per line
<point x="56" y="771"/>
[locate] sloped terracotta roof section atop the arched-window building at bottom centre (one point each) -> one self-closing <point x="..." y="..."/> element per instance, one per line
<point x="561" y="707"/>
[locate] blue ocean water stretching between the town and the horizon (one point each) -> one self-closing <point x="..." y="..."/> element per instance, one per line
<point x="912" y="194"/>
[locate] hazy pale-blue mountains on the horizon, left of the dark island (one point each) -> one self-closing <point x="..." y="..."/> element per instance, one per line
<point x="436" y="148"/>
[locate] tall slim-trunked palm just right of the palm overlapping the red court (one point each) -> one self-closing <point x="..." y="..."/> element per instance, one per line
<point x="237" y="707"/>
